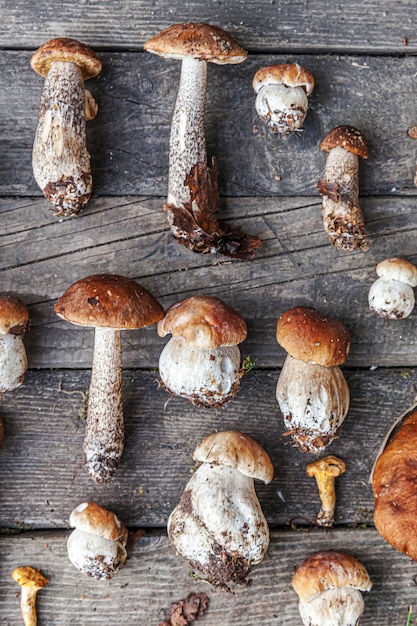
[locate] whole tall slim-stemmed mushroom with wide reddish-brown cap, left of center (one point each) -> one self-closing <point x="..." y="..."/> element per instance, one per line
<point x="109" y="303"/>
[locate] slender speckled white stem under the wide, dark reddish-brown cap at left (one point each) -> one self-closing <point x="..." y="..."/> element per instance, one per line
<point x="104" y="433"/>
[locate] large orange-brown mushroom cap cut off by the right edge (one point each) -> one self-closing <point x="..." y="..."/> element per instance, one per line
<point x="394" y="484"/>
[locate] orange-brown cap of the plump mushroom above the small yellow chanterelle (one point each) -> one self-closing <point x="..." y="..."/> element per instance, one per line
<point x="313" y="338"/>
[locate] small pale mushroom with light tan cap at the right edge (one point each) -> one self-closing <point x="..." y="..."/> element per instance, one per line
<point x="392" y="296"/>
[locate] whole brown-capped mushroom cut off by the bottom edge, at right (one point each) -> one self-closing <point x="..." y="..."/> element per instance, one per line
<point x="329" y="586"/>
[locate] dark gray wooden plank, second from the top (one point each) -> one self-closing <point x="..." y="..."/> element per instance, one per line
<point x="136" y="92"/>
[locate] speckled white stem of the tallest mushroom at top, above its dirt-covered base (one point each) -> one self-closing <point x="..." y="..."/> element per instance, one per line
<point x="187" y="142"/>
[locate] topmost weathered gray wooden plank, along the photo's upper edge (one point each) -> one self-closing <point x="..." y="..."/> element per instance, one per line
<point x="313" y="25"/>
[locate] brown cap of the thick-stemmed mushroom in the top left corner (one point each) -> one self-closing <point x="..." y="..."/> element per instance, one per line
<point x="64" y="49"/>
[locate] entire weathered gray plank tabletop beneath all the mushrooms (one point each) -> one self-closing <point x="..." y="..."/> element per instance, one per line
<point x="362" y="54"/>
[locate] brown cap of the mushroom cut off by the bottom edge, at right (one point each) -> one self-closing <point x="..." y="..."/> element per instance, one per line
<point x="329" y="570"/>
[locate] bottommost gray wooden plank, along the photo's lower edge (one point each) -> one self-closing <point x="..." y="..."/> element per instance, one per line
<point x="154" y="576"/>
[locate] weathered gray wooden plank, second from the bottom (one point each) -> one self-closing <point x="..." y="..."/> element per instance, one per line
<point x="42" y="466"/>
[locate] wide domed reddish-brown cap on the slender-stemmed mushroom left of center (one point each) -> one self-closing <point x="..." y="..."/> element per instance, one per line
<point x="108" y="301"/>
